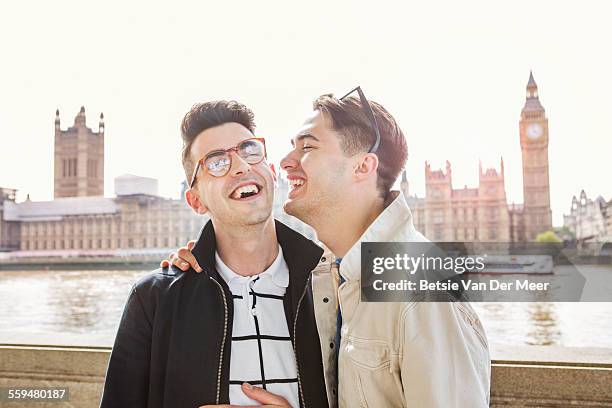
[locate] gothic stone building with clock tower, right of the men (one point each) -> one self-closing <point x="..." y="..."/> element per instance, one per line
<point x="482" y="213"/>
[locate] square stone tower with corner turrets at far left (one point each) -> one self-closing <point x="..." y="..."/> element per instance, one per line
<point x="79" y="158"/>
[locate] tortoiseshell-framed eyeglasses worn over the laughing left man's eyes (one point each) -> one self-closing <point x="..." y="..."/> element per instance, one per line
<point x="218" y="162"/>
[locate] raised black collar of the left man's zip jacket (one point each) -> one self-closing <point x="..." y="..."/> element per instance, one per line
<point x="301" y="255"/>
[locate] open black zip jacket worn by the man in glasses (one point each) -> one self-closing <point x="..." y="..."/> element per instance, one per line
<point x="167" y="352"/>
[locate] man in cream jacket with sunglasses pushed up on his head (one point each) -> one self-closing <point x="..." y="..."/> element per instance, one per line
<point x="342" y="166"/>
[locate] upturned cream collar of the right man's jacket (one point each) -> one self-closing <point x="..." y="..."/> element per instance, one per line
<point x="392" y="225"/>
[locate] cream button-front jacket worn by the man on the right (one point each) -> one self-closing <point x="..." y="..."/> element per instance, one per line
<point x="398" y="354"/>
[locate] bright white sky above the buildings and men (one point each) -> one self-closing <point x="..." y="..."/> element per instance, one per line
<point x="453" y="73"/>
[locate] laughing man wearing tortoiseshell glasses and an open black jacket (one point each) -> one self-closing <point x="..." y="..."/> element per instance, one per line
<point x="244" y="325"/>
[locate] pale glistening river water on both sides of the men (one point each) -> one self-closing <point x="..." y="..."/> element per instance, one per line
<point x="83" y="308"/>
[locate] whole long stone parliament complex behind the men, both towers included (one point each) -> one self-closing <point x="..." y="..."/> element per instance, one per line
<point x="81" y="219"/>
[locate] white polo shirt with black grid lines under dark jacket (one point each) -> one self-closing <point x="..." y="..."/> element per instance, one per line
<point x="261" y="353"/>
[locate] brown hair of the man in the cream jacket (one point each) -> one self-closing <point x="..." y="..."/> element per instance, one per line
<point x="348" y="118"/>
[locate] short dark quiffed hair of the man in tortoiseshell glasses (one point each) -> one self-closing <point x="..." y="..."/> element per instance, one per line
<point x="207" y="115"/>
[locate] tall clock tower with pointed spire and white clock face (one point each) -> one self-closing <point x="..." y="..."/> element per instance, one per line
<point x="534" y="147"/>
